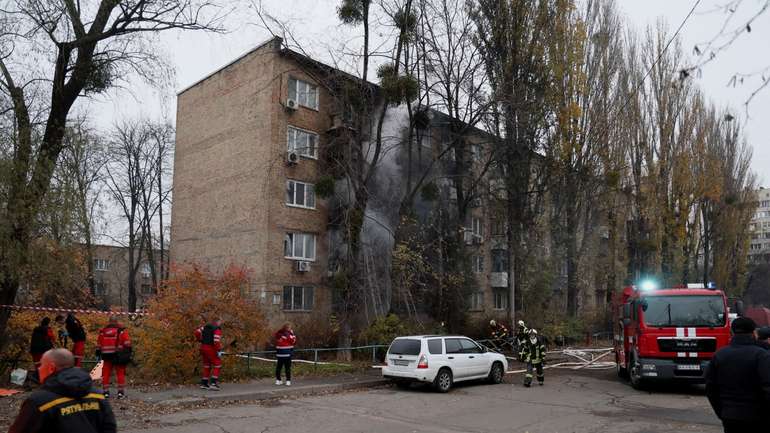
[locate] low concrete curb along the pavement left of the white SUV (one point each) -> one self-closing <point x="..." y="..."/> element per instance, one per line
<point x="278" y="392"/>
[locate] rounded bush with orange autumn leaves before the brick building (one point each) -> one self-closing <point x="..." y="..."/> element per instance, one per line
<point x="166" y="348"/>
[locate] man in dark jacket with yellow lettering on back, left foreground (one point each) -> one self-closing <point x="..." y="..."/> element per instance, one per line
<point x="66" y="403"/>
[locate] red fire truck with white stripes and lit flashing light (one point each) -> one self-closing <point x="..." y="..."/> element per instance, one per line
<point x="668" y="334"/>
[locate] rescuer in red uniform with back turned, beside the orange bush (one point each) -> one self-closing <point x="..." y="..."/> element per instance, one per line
<point x="114" y="348"/>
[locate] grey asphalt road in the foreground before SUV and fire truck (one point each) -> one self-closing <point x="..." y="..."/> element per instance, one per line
<point x="586" y="402"/>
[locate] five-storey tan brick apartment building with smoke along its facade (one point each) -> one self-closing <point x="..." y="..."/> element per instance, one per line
<point x="252" y="138"/>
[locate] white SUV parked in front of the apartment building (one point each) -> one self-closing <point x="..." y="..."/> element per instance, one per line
<point x="441" y="360"/>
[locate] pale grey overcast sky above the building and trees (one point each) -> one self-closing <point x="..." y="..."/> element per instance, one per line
<point x="314" y="22"/>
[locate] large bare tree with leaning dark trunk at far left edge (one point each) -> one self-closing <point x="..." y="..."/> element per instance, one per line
<point x="68" y="49"/>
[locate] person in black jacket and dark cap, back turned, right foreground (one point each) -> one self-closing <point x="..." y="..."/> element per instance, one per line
<point x="738" y="381"/>
